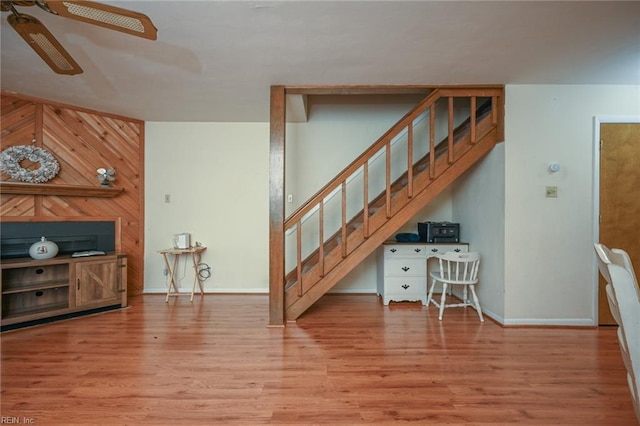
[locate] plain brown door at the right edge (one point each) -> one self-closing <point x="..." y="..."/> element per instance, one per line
<point x="619" y="198"/>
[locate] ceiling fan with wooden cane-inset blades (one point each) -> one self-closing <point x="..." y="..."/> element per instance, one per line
<point x="50" y="50"/>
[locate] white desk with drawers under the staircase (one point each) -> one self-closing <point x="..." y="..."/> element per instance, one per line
<point x="402" y="269"/>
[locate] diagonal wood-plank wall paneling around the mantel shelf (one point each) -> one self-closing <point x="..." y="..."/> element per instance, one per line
<point x="82" y="141"/>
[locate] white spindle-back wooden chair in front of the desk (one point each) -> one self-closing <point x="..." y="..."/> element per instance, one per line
<point x="456" y="269"/>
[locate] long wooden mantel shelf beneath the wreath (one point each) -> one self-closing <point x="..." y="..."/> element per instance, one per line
<point x="62" y="190"/>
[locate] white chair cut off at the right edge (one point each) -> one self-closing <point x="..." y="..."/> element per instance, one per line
<point x="623" y="294"/>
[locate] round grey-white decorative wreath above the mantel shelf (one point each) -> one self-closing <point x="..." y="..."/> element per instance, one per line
<point x="11" y="158"/>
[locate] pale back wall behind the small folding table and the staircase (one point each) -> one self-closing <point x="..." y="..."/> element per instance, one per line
<point x="217" y="177"/>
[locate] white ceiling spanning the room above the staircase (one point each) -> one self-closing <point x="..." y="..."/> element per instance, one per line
<point x="215" y="61"/>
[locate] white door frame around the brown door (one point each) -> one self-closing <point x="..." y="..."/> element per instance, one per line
<point x="597" y="121"/>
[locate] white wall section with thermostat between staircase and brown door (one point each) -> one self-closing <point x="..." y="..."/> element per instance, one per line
<point x="549" y="258"/>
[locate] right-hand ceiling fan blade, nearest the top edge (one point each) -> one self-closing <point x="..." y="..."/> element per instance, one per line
<point x="114" y="18"/>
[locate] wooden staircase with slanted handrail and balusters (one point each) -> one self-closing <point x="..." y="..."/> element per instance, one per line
<point x="348" y="219"/>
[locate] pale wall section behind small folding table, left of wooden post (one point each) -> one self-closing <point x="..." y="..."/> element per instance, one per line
<point x="217" y="175"/>
